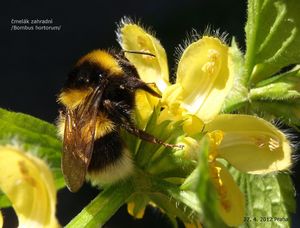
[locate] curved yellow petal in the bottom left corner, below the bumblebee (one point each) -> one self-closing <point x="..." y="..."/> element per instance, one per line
<point x="29" y="185"/>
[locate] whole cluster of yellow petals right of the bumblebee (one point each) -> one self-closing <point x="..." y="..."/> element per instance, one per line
<point x="205" y="76"/>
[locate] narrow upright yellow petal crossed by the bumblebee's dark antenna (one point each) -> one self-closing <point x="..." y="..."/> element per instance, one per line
<point x="151" y="69"/>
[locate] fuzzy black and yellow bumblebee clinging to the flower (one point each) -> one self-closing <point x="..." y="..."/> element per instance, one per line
<point x="97" y="101"/>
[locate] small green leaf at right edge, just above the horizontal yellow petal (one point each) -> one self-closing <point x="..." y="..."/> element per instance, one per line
<point x="278" y="98"/>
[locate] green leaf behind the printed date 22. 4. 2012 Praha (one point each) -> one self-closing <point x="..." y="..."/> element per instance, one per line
<point x="269" y="199"/>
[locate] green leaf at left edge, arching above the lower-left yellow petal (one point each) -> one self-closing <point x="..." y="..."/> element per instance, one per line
<point x="35" y="136"/>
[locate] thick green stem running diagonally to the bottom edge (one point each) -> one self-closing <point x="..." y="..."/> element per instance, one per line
<point x="103" y="206"/>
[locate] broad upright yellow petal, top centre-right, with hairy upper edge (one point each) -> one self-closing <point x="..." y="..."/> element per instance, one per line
<point x="203" y="72"/>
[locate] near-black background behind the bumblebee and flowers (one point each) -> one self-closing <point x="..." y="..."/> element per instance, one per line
<point x="34" y="64"/>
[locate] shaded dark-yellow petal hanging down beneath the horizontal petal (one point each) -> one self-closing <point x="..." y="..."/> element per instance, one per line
<point x="231" y="199"/>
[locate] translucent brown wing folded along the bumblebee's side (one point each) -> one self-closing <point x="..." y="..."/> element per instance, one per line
<point x="80" y="126"/>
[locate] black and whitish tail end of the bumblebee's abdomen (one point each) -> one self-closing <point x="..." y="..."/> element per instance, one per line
<point x="111" y="161"/>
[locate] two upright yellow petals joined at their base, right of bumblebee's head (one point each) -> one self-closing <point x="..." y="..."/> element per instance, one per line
<point x="203" y="76"/>
